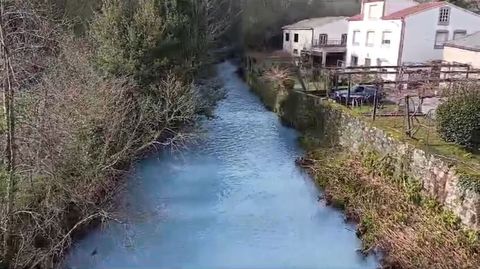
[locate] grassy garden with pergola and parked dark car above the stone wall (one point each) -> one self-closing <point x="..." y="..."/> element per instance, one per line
<point x="401" y="99"/>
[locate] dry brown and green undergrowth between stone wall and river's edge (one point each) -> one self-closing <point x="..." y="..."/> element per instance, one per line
<point x="395" y="218"/>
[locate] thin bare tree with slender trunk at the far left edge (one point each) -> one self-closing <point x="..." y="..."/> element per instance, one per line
<point x="24" y="40"/>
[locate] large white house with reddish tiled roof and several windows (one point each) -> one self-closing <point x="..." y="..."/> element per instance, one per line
<point x="393" y="32"/>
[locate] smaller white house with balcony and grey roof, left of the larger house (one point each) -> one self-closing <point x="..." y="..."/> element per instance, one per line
<point x="321" y="37"/>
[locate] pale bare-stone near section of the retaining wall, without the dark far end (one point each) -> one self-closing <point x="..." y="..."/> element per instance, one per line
<point x="438" y="177"/>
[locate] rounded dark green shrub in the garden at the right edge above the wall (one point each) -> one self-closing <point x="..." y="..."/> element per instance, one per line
<point x="458" y="119"/>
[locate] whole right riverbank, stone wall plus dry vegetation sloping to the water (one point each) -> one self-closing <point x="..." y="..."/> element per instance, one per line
<point x="409" y="203"/>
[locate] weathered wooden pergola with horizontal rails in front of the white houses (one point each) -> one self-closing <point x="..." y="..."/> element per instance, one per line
<point x="399" y="82"/>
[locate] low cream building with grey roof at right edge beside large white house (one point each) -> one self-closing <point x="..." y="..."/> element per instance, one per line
<point x="464" y="50"/>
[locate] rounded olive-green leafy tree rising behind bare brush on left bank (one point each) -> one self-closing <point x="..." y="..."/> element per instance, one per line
<point x="126" y="38"/>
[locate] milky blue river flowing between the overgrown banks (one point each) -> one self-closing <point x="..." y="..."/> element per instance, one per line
<point x="234" y="201"/>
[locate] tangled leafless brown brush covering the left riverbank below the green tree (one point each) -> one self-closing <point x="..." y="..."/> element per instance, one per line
<point x="77" y="134"/>
